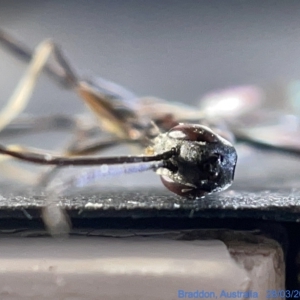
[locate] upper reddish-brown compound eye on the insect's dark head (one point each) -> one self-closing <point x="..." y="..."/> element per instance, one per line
<point x="195" y="133"/>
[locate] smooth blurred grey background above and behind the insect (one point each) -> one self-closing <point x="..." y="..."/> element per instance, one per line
<point x="175" y="50"/>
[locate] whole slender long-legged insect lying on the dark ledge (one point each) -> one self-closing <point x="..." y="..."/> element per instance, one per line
<point x="183" y="144"/>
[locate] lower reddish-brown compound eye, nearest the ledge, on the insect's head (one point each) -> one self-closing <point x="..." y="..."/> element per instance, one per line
<point x="181" y="189"/>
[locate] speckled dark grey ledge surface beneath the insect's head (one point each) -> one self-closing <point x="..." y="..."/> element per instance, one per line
<point x="279" y="205"/>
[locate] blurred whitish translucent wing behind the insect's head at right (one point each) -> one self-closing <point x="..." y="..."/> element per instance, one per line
<point x="262" y="117"/>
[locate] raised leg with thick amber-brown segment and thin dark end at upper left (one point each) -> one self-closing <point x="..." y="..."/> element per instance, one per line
<point x="103" y="98"/>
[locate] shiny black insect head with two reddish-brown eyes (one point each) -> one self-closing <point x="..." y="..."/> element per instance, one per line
<point x="205" y="162"/>
